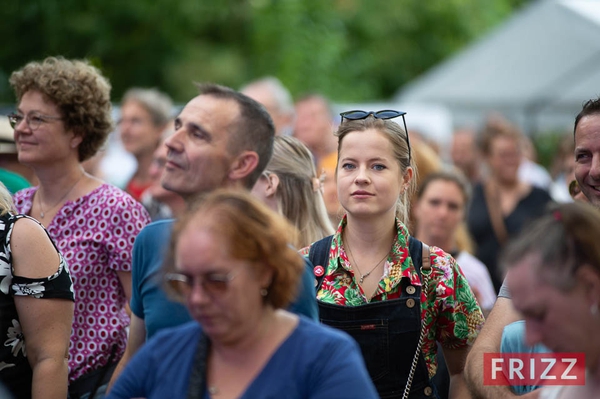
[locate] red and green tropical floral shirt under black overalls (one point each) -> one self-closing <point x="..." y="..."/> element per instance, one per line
<point x="451" y="313"/>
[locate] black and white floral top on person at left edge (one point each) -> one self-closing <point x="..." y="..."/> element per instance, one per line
<point x="15" y="371"/>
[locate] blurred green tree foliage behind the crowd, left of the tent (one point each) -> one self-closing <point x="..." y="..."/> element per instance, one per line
<point x="349" y="50"/>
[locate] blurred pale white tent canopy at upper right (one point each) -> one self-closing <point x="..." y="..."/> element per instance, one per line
<point x="537" y="68"/>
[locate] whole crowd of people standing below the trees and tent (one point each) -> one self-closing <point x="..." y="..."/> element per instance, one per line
<point x="263" y="248"/>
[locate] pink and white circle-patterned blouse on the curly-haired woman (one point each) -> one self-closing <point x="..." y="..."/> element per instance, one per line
<point x="95" y="234"/>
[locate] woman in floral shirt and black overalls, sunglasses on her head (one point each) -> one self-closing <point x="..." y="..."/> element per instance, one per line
<point x="373" y="280"/>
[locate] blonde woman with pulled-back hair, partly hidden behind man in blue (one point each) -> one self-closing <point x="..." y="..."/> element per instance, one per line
<point x="290" y="186"/>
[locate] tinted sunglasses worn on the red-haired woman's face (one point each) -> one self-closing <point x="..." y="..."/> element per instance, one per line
<point x="214" y="284"/>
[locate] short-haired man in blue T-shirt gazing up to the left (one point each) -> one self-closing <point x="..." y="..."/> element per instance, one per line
<point x="222" y="139"/>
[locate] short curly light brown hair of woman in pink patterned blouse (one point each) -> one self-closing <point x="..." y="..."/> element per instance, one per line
<point x="79" y="90"/>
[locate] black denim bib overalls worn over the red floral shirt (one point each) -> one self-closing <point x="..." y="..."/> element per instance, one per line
<point x="387" y="332"/>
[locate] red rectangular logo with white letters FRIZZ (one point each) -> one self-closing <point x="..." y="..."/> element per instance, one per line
<point x="534" y="369"/>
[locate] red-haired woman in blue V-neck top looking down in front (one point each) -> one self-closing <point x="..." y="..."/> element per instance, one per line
<point x="233" y="267"/>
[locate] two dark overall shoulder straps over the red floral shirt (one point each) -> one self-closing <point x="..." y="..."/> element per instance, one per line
<point x="319" y="255"/>
